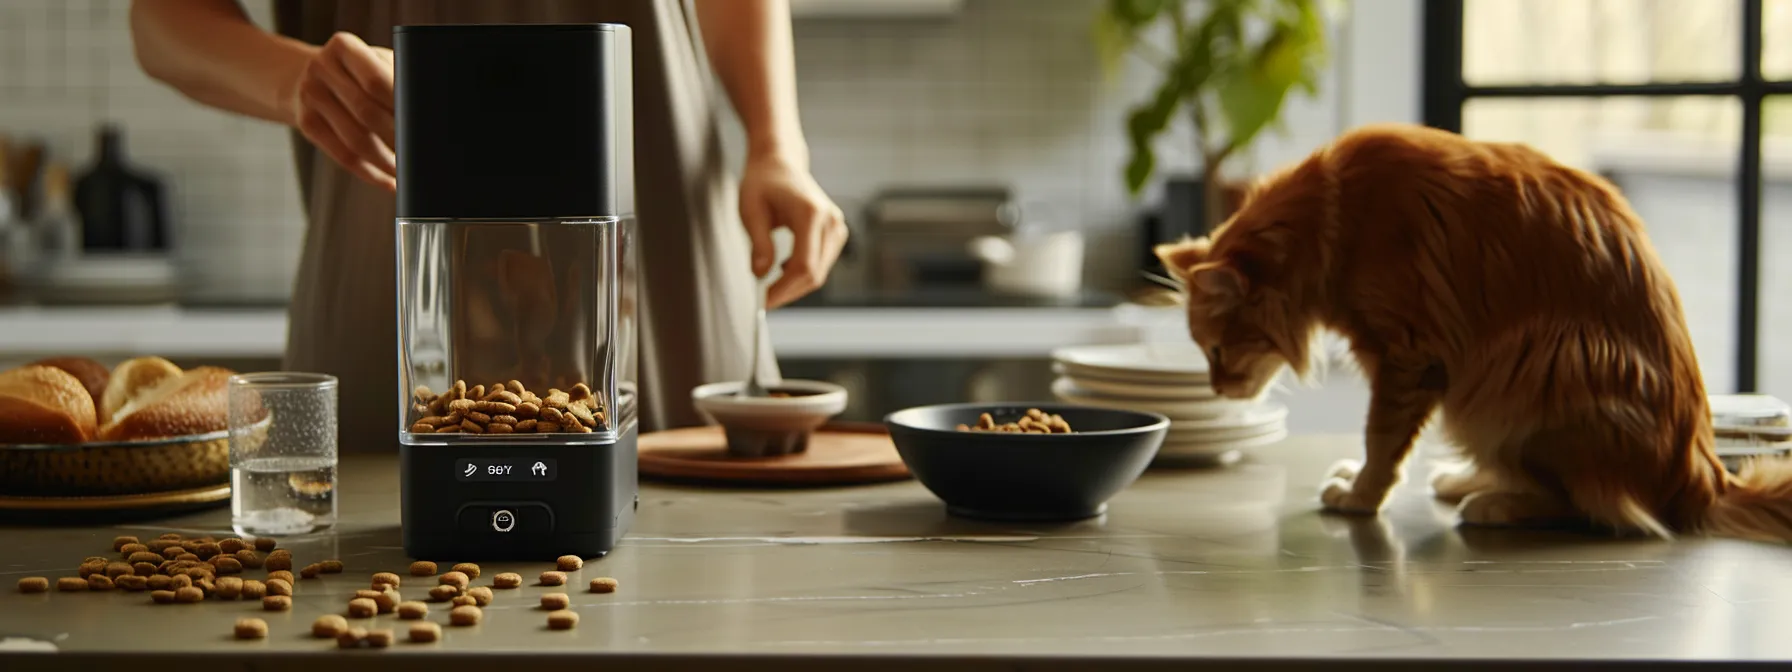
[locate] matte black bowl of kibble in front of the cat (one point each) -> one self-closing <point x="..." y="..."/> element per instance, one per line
<point x="1026" y="476"/>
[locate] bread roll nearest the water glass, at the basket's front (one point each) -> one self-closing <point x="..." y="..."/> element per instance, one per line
<point x="196" y="402"/>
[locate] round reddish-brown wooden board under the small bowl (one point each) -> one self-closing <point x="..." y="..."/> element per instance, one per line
<point x="840" y="454"/>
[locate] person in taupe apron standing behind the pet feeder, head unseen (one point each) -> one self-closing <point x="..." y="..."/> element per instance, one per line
<point x="327" y="73"/>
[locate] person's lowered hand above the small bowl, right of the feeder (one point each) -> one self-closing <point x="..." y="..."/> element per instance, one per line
<point x="777" y="193"/>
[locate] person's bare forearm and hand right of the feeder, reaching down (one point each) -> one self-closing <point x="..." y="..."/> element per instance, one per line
<point x="754" y="55"/>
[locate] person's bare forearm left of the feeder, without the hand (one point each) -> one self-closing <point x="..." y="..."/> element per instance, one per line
<point x="214" y="55"/>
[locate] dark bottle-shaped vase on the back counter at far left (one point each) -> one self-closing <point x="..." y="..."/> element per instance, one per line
<point x="123" y="209"/>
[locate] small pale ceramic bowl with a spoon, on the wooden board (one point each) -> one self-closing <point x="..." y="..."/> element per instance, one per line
<point x="768" y="426"/>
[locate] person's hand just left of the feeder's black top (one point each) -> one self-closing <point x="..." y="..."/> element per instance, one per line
<point x="343" y="103"/>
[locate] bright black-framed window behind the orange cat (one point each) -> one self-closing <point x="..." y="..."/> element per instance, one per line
<point x="1685" y="105"/>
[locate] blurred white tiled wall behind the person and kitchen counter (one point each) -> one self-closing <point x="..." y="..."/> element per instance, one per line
<point x="1004" y="92"/>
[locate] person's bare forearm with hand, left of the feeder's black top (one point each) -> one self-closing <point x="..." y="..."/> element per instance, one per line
<point x="340" y="96"/>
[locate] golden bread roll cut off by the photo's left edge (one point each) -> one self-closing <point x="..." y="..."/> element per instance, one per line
<point x="44" y="404"/>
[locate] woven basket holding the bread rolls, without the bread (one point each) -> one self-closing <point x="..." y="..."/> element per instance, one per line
<point x="123" y="467"/>
